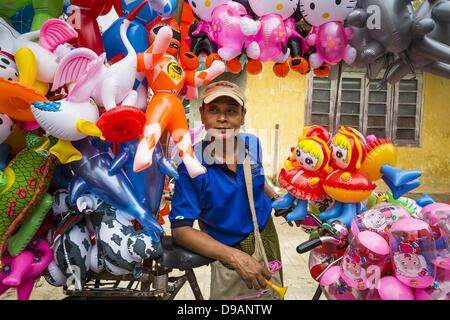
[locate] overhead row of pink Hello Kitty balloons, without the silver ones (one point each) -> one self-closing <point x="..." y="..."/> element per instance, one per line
<point x="273" y="31"/>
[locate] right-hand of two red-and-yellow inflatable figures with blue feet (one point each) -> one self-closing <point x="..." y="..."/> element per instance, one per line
<point x="358" y="164"/>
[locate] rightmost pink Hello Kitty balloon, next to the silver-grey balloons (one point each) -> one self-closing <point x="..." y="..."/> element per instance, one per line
<point x="328" y="34"/>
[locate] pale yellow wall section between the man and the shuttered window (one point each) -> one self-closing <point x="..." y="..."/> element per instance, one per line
<point x="271" y="101"/>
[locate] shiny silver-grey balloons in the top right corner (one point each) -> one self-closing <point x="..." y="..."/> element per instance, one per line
<point x="418" y="39"/>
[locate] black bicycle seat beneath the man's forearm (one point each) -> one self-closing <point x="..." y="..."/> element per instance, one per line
<point x="175" y="257"/>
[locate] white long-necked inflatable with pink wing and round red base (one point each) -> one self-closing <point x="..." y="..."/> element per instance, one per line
<point x="108" y="86"/>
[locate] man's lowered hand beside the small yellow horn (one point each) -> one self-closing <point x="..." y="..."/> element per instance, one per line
<point x="250" y="270"/>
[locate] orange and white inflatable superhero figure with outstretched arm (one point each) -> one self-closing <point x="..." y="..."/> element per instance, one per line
<point x="168" y="80"/>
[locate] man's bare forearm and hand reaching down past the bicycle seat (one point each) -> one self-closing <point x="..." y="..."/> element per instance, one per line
<point x="251" y="271"/>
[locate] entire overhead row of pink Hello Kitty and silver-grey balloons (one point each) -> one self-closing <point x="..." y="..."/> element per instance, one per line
<point x="318" y="34"/>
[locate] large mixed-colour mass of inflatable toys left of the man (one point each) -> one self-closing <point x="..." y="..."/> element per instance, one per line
<point x="81" y="115"/>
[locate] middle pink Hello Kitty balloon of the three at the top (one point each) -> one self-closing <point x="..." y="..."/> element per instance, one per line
<point x="274" y="29"/>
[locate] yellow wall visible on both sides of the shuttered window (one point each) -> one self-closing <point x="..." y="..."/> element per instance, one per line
<point x="274" y="101"/>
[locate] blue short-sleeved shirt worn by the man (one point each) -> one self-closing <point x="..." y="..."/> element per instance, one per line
<point x="219" y="198"/>
